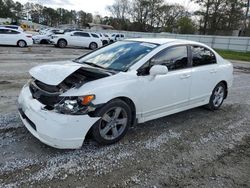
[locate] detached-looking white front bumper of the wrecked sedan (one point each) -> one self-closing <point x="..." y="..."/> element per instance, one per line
<point x="54" y="129"/>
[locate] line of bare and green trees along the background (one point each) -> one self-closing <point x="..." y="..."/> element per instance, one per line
<point x="213" y="16"/>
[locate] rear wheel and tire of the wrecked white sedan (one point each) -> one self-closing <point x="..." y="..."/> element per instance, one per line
<point x="217" y="97"/>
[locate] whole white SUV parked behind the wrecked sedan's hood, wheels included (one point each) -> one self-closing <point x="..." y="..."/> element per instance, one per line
<point x="77" y="38"/>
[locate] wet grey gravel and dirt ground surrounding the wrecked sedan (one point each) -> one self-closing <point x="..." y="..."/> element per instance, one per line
<point x="195" y="148"/>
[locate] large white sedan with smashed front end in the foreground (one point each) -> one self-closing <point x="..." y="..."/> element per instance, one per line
<point x="106" y="91"/>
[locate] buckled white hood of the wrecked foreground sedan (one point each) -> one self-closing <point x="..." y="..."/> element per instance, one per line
<point x="54" y="74"/>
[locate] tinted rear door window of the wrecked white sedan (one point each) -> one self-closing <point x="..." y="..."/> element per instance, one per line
<point x="202" y="56"/>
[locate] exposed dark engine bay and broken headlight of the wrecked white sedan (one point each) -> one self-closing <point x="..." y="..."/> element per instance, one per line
<point x="51" y="95"/>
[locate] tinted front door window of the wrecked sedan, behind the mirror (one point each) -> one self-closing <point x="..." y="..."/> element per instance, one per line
<point x="174" y="58"/>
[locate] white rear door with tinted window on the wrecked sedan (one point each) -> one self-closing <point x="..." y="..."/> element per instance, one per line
<point x="204" y="74"/>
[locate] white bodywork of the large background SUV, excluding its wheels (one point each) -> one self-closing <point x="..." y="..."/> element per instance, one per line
<point x="74" y="39"/>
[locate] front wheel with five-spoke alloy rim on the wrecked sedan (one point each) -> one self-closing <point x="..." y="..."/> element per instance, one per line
<point x="116" y="117"/>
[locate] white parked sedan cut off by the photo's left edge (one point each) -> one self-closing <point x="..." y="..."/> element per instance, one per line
<point x="14" y="37"/>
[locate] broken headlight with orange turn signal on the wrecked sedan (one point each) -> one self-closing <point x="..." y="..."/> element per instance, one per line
<point x="75" y="105"/>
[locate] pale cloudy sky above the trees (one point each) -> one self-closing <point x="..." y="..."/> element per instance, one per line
<point x="94" y="6"/>
